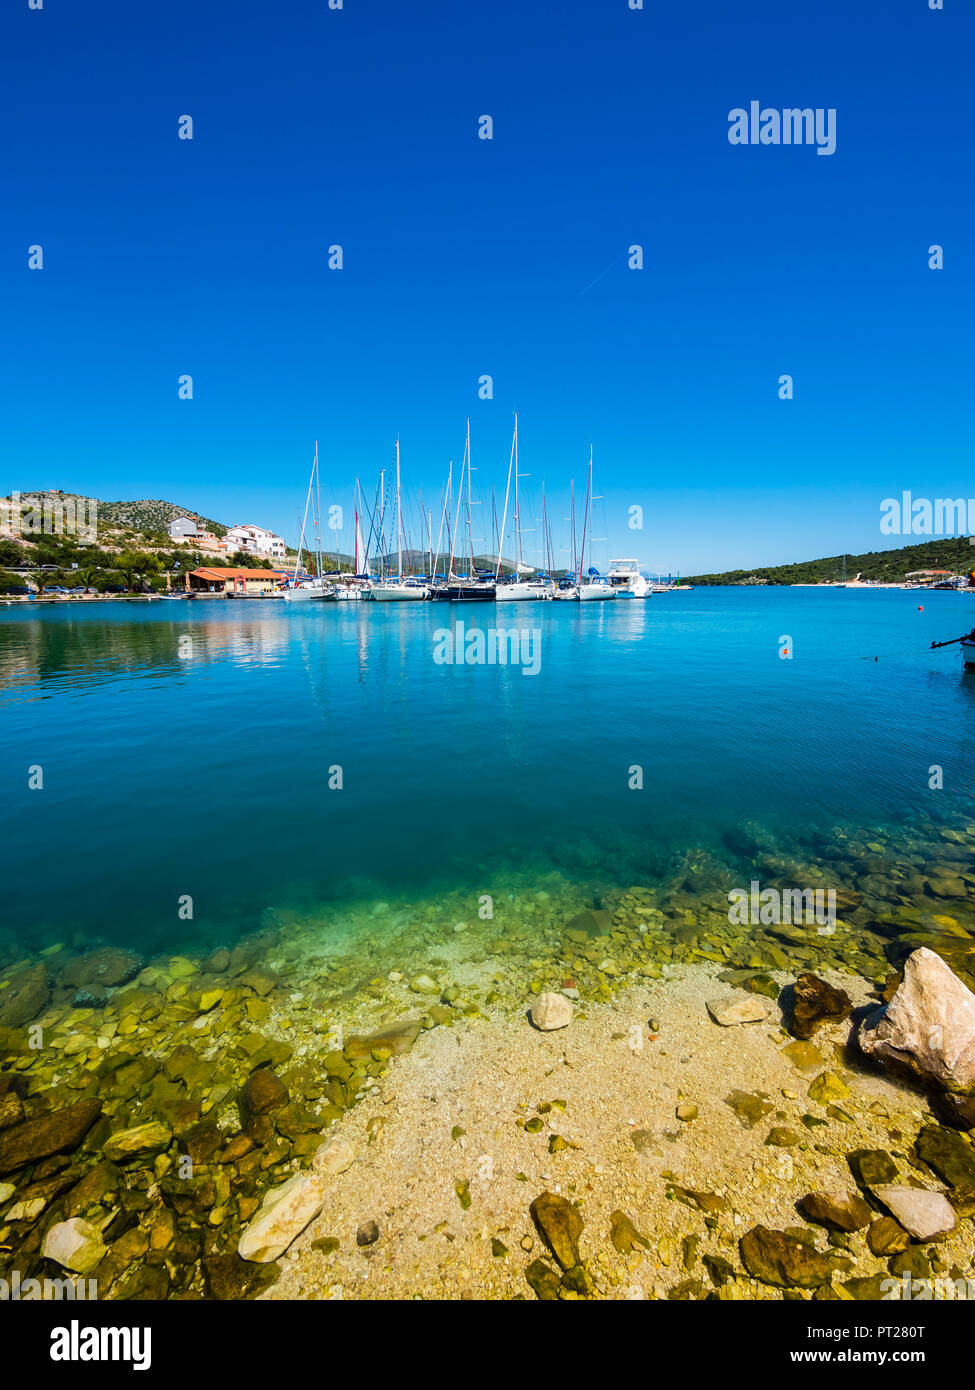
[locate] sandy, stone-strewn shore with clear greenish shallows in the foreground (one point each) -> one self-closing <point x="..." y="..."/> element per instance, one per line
<point x="595" y="1095"/>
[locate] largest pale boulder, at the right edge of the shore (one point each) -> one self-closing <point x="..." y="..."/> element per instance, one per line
<point x="930" y="1025"/>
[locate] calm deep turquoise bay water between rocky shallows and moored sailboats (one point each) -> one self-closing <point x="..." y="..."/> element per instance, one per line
<point x="187" y="749"/>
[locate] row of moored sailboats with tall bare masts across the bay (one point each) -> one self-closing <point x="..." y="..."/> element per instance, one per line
<point x="522" y="584"/>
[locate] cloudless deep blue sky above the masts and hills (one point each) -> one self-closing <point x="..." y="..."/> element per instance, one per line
<point x="506" y="258"/>
